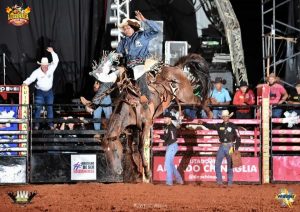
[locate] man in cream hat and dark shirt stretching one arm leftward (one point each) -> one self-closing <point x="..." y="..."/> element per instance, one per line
<point x="229" y="138"/>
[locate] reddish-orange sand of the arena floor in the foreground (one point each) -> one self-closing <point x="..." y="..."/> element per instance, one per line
<point x="149" y="197"/>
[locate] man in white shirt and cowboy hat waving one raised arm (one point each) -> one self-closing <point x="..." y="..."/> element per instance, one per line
<point x="43" y="93"/>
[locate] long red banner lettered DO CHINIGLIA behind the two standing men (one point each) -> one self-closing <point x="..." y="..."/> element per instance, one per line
<point x="203" y="169"/>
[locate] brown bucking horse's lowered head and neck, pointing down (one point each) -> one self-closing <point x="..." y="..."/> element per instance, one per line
<point x="122" y="117"/>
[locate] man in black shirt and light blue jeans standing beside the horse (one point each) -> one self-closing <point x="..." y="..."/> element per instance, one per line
<point x="170" y="139"/>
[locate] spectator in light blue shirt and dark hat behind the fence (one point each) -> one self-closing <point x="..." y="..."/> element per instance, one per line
<point x="219" y="97"/>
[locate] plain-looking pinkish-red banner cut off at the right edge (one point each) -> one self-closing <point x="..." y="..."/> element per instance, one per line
<point x="286" y="168"/>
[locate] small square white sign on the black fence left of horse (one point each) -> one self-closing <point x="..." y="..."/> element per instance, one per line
<point x="83" y="167"/>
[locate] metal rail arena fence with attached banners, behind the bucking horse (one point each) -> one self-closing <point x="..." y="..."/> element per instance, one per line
<point x="73" y="154"/>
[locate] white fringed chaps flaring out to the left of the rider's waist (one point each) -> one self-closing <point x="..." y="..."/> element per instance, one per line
<point x="107" y="63"/>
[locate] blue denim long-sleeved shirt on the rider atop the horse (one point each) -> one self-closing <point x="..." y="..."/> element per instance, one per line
<point x="135" y="47"/>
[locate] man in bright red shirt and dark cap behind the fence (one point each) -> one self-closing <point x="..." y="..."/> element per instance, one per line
<point x="244" y="96"/>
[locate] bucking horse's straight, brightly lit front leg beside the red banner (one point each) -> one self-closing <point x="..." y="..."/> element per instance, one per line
<point x="144" y="149"/>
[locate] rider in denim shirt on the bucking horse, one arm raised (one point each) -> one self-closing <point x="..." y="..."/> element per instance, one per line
<point x="134" y="47"/>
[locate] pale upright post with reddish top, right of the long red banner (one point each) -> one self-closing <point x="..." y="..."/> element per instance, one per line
<point x="265" y="134"/>
